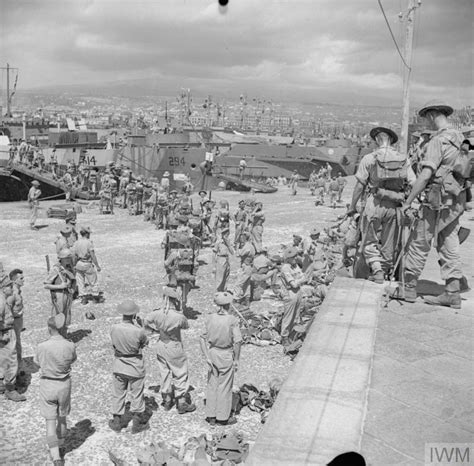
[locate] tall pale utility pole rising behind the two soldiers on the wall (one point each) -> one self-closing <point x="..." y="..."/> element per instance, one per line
<point x="409" y="19"/>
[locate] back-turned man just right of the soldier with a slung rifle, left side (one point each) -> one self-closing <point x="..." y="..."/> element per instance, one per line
<point x="87" y="267"/>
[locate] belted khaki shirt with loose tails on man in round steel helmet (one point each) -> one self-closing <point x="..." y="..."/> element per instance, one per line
<point x="128" y="340"/>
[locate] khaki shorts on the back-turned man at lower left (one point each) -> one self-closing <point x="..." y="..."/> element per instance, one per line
<point x="55" y="398"/>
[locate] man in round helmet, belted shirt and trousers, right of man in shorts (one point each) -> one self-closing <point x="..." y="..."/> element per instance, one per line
<point x="128" y="341"/>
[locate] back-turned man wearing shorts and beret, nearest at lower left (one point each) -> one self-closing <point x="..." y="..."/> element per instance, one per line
<point x="55" y="357"/>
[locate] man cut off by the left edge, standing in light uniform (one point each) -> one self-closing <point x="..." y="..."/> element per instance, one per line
<point x="8" y="355"/>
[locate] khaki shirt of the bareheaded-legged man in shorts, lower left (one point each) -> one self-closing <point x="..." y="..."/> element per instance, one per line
<point x="55" y="357"/>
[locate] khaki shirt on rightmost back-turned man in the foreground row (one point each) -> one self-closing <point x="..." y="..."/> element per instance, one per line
<point x="222" y="330"/>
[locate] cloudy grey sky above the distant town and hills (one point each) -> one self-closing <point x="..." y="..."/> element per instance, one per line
<point x="304" y="50"/>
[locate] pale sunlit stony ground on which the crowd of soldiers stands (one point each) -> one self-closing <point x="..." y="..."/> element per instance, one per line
<point x="130" y="254"/>
